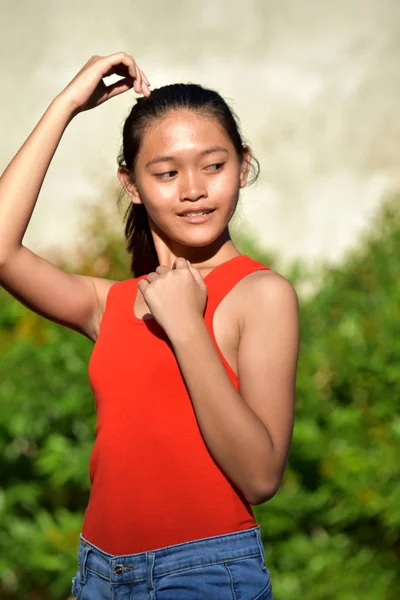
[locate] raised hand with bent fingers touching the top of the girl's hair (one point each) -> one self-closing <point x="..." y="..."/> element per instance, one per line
<point x="87" y="89"/>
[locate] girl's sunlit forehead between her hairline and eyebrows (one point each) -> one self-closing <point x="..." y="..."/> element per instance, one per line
<point x="183" y="130"/>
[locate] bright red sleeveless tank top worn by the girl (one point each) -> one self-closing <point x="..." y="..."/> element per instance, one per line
<point x="153" y="481"/>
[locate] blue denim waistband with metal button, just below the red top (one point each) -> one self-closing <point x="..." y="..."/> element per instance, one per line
<point x="129" y="568"/>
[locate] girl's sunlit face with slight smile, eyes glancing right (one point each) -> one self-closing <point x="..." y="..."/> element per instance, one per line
<point x="186" y="163"/>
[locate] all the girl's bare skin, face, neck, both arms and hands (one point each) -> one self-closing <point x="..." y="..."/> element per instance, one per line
<point x="247" y="431"/>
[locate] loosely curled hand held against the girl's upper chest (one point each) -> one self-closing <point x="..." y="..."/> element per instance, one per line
<point x="175" y="296"/>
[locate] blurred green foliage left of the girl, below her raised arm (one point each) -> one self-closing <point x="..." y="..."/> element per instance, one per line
<point x="46" y="433"/>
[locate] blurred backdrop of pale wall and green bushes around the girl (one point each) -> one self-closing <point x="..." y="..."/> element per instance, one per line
<point x="315" y="85"/>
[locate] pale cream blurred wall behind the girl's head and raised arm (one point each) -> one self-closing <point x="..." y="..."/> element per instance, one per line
<point x="315" y="84"/>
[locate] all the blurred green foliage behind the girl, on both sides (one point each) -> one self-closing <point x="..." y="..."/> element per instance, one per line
<point x="333" y="529"/>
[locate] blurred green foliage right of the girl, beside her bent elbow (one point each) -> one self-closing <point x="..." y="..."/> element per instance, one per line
<point x="333" y="530"/>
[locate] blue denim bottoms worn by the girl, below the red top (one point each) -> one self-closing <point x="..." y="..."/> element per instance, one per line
<point x="222" y="567"/>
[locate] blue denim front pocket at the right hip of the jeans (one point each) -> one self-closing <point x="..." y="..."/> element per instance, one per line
<point x="250" y="578"/>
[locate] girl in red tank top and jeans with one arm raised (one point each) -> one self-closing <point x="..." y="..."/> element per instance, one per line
<point x="182" y="450"/>
